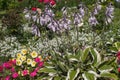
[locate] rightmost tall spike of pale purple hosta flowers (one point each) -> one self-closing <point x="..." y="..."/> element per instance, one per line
<point x="109" y="13"/>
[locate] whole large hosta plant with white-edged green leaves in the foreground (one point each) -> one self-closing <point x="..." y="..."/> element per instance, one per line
<point x="85" y="64"/>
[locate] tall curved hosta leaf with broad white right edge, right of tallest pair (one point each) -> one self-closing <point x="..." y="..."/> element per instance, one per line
<point x="96" y="56"/>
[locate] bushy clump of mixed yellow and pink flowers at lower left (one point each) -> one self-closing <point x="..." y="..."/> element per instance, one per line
<point x="24" y="65"/>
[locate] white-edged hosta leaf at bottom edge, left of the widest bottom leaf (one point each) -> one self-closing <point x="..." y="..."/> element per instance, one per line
<point x="72" y="74"/>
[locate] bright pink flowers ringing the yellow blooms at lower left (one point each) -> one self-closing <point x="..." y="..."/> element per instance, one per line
<point x="11" y="64"/>
